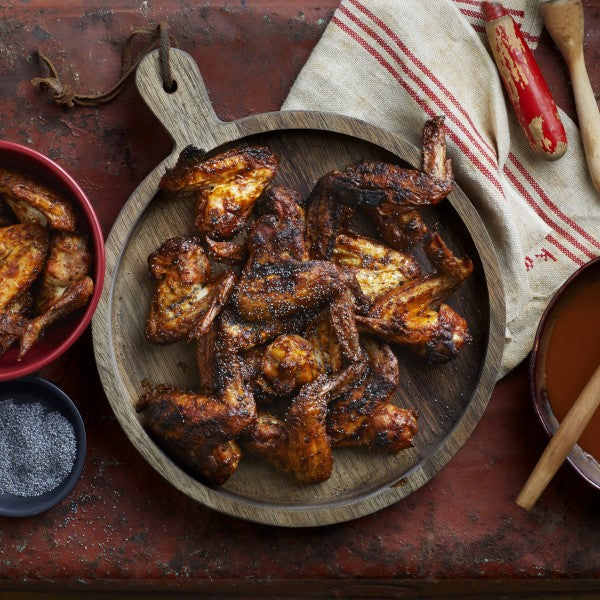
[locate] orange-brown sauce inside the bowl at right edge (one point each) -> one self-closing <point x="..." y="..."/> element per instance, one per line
<point x="574" y="353"/>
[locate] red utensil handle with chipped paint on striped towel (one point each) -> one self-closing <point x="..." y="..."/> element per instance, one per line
<point x="524" y="83"/>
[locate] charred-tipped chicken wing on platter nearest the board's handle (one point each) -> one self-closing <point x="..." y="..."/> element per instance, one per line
<point x="226" y="186"/>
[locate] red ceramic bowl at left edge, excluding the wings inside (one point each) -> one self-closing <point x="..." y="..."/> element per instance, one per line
<point x="63" y="333"/>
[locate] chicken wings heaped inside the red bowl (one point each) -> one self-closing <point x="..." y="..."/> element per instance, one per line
<point x="44" y="261"/>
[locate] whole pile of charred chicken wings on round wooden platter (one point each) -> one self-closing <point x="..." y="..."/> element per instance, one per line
<point x="293" y="338"/>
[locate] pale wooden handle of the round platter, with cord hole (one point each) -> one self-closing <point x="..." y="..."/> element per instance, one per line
<point x="186" y="113"/>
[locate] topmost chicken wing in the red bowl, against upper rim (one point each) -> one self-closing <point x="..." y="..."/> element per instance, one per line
<point x="33" y="202"/>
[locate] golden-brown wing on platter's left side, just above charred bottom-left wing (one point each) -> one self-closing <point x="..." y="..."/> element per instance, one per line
<point x="185" y="301"/>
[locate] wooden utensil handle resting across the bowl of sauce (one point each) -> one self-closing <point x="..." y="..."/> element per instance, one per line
<point x="562" y="442"/>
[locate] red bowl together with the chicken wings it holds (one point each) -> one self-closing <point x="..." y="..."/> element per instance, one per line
<point x="51" y="260"/>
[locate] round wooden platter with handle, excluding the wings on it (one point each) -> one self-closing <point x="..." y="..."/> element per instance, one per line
<point x="450" y="398"/>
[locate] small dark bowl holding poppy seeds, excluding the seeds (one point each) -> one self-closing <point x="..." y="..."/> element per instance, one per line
<point x="29" y="390"/>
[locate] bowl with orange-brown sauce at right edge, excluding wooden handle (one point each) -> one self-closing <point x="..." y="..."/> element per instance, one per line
<point x="565" y="354"/>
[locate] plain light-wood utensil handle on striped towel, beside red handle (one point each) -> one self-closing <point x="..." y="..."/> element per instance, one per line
<point x="564" y="22"/>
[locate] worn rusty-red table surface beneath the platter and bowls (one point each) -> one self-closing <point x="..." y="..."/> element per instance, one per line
<point x="123" y="522"/>
